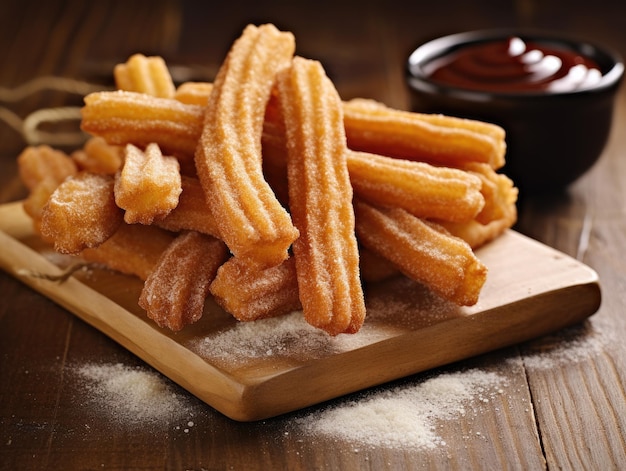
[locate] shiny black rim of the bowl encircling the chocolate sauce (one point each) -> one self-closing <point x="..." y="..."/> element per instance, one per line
<point x="419" y="80"/>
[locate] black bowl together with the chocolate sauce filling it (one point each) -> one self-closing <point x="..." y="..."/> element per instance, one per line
<point x="553" y="96"/>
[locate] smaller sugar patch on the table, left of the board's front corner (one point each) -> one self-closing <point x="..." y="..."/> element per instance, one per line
<point x="133" y="394"/>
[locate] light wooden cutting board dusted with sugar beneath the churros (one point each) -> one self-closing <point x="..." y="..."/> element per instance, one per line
<point x="251" y="371"/>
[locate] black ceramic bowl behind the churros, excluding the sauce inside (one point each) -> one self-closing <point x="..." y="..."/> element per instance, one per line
<point x="553" y="137"/>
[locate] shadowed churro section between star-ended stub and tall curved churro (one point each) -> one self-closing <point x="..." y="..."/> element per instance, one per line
<point x="192" y="213"/>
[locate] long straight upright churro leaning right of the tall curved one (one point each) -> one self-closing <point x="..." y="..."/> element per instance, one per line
<point x="320" y="195"/>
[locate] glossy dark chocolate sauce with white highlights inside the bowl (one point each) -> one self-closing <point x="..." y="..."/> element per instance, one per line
<point x="515" y="66"/>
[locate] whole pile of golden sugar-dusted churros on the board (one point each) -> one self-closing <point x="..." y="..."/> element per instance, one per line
<point x="268" y="192"/>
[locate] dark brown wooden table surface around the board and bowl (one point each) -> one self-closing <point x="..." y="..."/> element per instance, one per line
<point x="560" y="401"/>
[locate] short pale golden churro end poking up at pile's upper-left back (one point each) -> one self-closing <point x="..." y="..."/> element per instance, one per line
<point x="145" y="75"/>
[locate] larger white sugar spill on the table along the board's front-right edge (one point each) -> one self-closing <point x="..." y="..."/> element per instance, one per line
<point x="406" y="416"/>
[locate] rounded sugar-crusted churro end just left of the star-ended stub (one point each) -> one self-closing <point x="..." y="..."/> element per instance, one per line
<point x="81" y="213"/>
